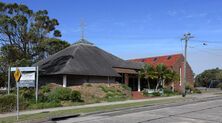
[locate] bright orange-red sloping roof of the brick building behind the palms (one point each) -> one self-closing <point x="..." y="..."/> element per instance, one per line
<point x="168" y="60"/>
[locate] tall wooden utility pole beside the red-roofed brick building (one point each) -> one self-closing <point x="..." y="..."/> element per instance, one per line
<point x="186" y="38"/>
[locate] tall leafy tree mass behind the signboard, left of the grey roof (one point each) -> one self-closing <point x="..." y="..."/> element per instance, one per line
<point x="26" y="36"/>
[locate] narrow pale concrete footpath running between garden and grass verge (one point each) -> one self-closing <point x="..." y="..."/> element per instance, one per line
<point x="205" y="95"/>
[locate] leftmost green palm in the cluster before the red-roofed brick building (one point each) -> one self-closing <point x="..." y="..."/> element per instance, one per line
<point x="147" y="72"/>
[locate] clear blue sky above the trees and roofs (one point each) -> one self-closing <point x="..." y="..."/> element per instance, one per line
<point x="142" y="28"/>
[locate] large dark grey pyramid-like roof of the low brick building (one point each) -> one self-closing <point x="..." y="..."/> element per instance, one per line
<point x="84" y="59"/>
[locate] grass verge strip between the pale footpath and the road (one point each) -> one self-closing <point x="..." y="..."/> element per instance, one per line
<point x="47" y="115"/>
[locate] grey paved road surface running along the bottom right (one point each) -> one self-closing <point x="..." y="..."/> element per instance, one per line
<point x="209" y="111"/>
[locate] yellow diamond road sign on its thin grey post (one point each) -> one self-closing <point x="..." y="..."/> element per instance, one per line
<point x="17" y="76"/>
